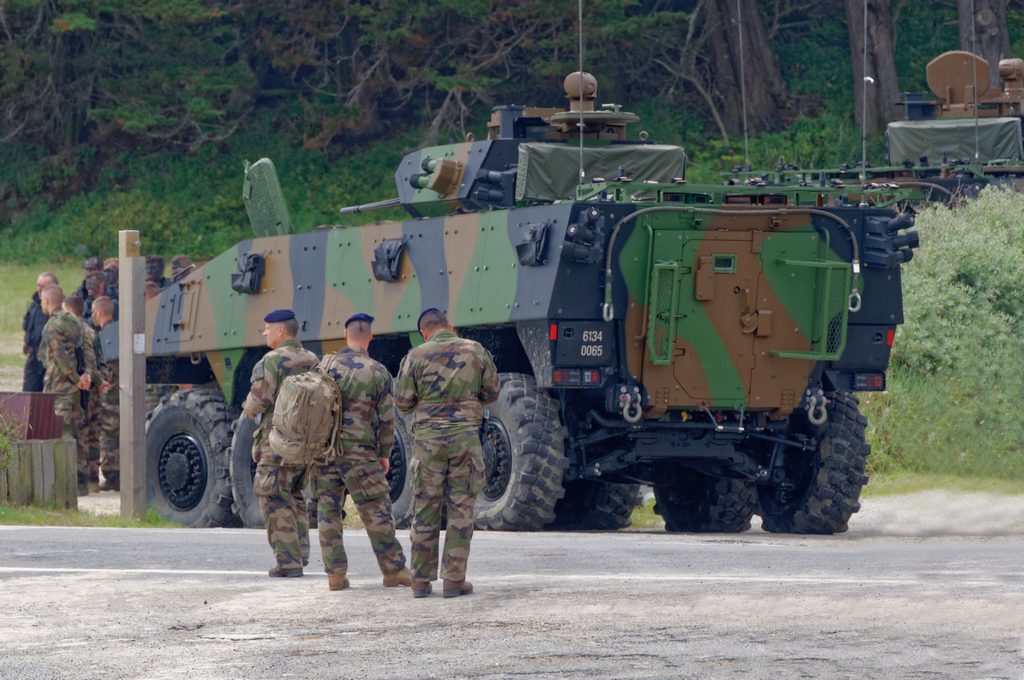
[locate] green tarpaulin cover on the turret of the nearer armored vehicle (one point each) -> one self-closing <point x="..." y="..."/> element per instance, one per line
<point x="551" y="173"/>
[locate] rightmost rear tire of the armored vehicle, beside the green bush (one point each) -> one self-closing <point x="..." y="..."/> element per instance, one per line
<point x="829" y="479"/>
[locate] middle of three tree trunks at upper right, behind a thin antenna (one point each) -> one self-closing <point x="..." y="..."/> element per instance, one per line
<point x="882" y="95"/>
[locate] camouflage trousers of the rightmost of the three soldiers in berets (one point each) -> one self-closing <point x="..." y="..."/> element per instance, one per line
<point x="446" y="471"/>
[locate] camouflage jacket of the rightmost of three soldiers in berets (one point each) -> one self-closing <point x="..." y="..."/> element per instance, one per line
<point x="446" y="382"/>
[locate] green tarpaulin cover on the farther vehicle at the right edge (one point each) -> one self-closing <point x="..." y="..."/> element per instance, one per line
<point x="999" y="139"/>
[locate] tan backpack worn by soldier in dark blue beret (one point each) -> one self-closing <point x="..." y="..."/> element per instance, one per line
<point x="307" y="416"/>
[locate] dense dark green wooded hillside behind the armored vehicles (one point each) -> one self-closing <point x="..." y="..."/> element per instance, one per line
<point x="108" y="102"/>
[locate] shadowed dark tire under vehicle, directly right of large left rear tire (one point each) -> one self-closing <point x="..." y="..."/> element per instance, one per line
<point x="595" y="505"/>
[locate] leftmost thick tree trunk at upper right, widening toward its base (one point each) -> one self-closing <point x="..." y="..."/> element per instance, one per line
<point x="760" y="73"/>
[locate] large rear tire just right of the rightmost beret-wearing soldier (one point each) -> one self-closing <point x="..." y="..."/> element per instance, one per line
<point x="524" y="454"/>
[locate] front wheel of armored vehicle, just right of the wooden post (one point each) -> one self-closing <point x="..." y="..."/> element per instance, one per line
<point x="186" y="440"/>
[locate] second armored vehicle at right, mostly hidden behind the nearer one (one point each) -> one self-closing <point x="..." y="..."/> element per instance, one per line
<point x="947" y="149"/>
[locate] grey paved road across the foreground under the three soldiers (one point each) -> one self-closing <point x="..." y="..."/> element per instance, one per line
<point x="186" y="604"/>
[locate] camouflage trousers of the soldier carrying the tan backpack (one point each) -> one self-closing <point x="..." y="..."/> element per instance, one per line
<point x="284" y="508"/>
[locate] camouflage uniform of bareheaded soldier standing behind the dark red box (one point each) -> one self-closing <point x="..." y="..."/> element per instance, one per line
<point x="62" y="334"/>
